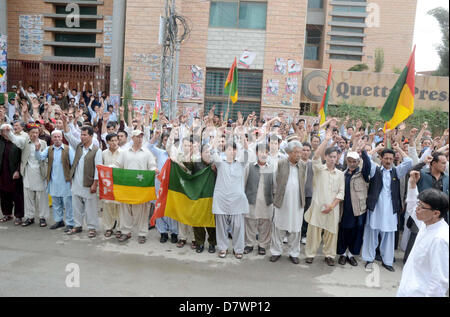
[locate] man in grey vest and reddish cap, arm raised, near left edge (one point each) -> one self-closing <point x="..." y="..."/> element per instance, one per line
<point x="33" y="172"/>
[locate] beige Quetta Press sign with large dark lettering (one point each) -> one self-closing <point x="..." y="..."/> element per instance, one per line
<point x="372" y="89"/>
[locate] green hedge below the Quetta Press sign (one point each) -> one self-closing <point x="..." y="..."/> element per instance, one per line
<point x="437" y="119"/>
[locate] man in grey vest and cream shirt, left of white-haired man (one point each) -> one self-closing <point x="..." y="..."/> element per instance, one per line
<point x="259" y="192"/>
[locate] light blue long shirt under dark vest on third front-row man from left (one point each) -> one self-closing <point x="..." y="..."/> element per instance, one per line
<point x="57" y="186"/>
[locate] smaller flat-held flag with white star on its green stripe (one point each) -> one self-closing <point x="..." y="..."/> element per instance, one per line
<point x="126" y="186"/>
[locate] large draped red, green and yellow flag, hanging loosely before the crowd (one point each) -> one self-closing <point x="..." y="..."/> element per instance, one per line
<point x="185" y="198"/>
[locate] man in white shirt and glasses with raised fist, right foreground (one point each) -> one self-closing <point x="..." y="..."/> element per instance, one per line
<point x="426" y="270"/>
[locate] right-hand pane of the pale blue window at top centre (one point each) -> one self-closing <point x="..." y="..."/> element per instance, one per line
<point x="252" y="15"/>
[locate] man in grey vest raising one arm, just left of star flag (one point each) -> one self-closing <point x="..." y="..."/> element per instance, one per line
<point x="84" y="177"/>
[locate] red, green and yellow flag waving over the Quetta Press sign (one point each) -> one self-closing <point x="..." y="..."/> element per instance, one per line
<point x="400" y="103"/>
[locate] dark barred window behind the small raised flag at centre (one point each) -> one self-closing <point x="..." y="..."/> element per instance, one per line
<point x="249" y="90"/>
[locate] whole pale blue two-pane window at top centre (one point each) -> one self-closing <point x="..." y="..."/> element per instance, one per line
<point x="238" y="14"/>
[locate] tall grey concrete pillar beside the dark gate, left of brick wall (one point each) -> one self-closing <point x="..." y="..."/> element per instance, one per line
<point x="118" y="39"/>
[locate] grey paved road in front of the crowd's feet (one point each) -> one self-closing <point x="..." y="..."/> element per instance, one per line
<point x="33" y="262"/>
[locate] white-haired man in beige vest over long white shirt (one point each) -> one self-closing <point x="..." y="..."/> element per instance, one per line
<point x="289" y="201"/>
